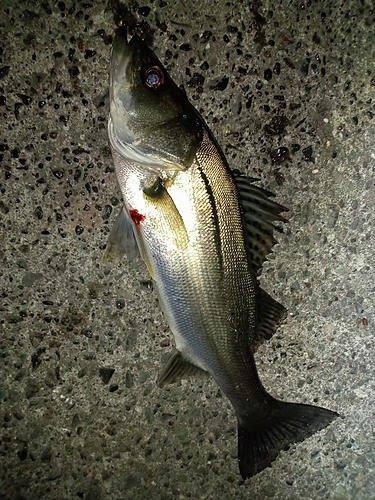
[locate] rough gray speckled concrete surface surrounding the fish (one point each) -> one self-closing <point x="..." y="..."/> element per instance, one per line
<point x="82" y="343"/>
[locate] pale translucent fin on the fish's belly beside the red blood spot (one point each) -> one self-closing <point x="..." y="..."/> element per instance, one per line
<point x="121" y="240"/>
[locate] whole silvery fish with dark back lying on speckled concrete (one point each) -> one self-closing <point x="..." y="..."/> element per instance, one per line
<point x="204" y="232"/>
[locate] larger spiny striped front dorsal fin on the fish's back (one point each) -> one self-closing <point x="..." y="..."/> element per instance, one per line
<point x="258" y="215"/>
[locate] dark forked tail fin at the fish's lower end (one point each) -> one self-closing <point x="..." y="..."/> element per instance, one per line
<point x="259" y="445"/>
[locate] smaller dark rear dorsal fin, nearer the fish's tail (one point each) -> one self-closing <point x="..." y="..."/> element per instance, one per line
<point x="269" y="316"/>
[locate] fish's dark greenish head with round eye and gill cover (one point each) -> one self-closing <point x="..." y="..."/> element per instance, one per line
<point x="151" y="120"/>
